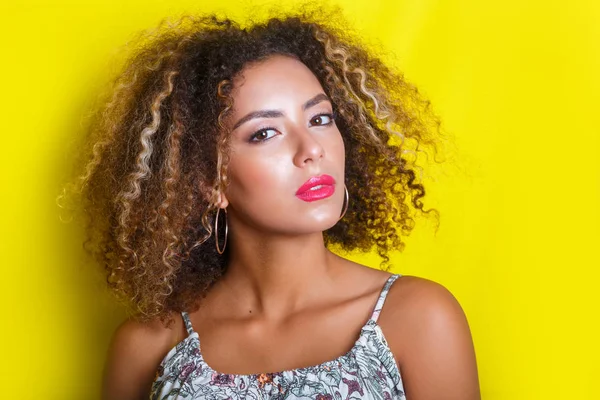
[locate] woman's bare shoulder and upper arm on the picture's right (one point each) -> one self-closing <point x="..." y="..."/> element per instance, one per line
<point x="430" y="338"/>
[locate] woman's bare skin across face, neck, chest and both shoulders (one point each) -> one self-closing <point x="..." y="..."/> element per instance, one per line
<point x="286" y="301"/>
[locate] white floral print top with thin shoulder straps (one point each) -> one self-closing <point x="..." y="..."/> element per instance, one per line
<point x="367" y="371"/>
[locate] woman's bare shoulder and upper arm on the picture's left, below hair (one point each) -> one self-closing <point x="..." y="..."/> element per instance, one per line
<point x="135" y="351"/>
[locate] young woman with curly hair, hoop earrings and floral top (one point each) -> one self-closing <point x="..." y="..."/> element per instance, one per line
<point x="225" y="164"/>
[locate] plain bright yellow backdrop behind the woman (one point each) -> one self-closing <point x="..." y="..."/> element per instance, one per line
<point x="516" y="83"/>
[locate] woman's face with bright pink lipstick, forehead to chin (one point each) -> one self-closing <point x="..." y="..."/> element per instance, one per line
<point x="282" y="135"/>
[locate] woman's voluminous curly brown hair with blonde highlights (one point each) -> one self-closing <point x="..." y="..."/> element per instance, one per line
<point x="158" y="153"/>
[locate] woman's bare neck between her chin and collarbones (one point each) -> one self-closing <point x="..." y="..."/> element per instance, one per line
<point x="276" y="276"/>
